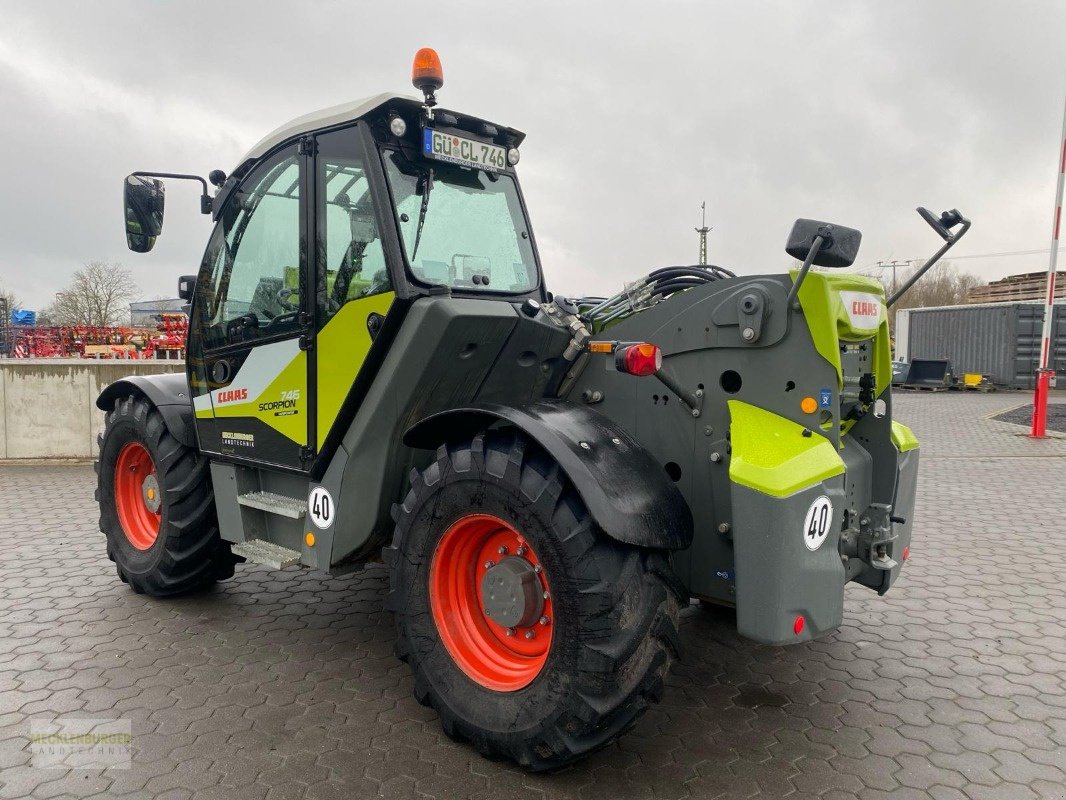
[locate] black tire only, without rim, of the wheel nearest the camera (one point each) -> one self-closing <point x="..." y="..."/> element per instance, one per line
<point x="616" y="606"/>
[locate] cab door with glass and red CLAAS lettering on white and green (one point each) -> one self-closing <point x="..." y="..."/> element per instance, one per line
<point x="253" y="311"/>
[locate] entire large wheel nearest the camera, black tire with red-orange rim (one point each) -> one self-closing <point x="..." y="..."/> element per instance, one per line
<point x="534" y="635"/>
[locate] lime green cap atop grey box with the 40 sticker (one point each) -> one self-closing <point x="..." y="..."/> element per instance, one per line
<point x="771" y="454"/>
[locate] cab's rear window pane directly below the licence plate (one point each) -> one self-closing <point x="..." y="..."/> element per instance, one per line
<point x="474" y="234"/>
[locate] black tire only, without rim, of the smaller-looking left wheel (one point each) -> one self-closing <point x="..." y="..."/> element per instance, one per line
<point x="188" y="553"/>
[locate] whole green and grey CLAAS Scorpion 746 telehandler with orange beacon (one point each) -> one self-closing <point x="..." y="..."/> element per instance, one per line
<point x="377" y="369"/>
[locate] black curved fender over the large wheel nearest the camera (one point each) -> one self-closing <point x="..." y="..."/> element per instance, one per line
<point x="627" y="492"/>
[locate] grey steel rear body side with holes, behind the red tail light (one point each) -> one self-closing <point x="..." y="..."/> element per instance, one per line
<point x="701" y="337"/>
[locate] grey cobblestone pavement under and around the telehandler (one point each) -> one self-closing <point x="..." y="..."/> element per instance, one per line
<point x="283" y="685"/>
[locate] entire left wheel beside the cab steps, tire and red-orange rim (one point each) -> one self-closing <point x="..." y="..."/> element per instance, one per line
<point x="157" y="508"/>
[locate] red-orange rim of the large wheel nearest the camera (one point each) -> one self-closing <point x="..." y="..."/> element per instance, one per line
<point x="482" y="648"/>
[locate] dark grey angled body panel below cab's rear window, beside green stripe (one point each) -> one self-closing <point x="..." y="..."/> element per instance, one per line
<point x="443" y="358"/>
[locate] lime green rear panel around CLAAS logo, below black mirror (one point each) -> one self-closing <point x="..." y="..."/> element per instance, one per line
<point x="830" y="323"/>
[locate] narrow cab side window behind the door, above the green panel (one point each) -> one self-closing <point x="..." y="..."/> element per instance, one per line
<point x="351" y="258"/>
